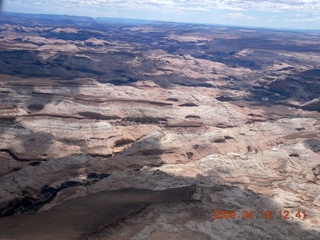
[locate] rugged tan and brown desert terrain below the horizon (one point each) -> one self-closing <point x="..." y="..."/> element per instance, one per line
<point x="111" y="130"/>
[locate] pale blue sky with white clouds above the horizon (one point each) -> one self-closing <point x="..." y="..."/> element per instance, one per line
<point x="295" y="14"/>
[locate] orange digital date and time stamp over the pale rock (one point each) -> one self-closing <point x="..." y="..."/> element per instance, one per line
<point x="263" y="214"/>
